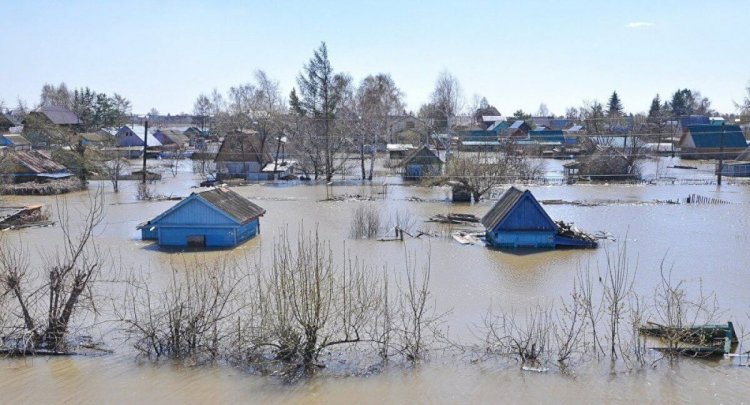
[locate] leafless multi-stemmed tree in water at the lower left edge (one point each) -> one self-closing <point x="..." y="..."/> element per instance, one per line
<point x="45" y="310"/>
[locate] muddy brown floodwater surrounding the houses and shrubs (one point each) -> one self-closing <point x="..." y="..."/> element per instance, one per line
<point x="704" y="244"/>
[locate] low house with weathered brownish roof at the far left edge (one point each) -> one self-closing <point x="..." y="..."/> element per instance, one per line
<point x="30" y="165"/>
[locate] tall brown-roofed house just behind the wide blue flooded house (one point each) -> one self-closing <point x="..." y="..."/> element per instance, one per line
<point x="241" y="155"/>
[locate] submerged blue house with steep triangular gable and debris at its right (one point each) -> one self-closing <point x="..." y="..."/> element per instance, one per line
<point x="518" y="221"/>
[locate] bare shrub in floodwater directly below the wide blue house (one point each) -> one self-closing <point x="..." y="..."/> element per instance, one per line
<point x="190" y="318"/>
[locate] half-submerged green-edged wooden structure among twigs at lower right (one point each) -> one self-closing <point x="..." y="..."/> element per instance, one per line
<point x="696" y="340"/>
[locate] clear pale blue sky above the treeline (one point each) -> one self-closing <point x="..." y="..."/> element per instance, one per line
<point x="517" y="54"/>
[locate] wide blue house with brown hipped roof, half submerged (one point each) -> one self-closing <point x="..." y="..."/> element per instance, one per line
<point x="214" y="218"/>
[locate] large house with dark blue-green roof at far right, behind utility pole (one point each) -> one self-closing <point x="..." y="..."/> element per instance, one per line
<point x="706" y="142"/>
